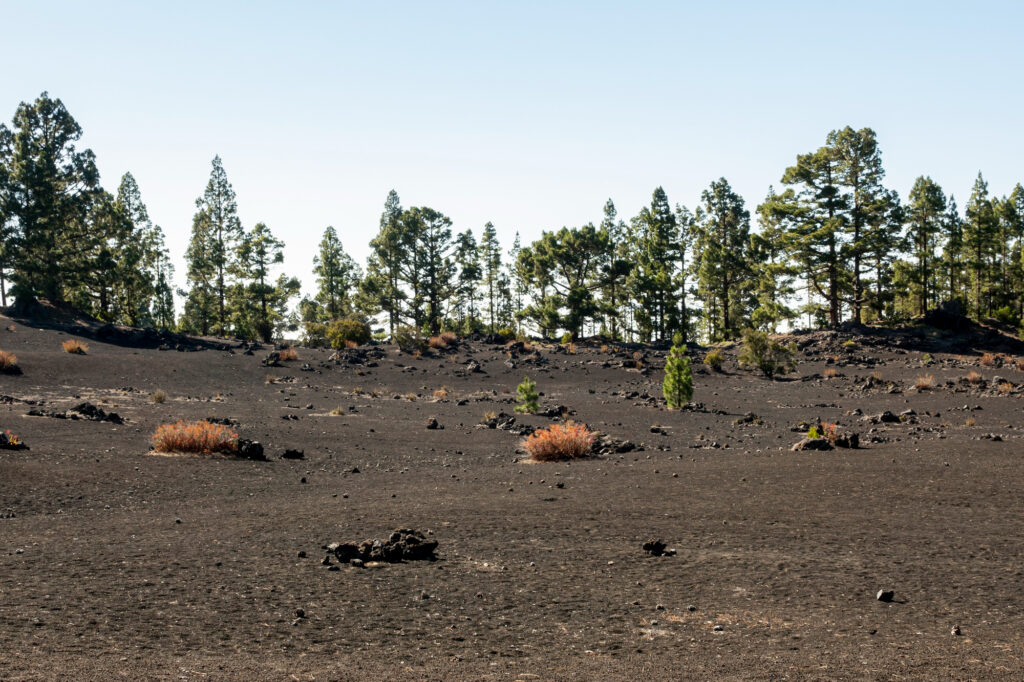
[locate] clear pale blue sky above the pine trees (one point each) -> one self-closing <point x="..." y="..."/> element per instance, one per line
<point x="527" y="114"/>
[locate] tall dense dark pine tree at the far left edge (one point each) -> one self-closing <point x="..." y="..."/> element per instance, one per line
<point x="51" y="190"/>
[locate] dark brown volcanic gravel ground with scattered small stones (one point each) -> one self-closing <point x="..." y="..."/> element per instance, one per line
<point x="119" y="564"/>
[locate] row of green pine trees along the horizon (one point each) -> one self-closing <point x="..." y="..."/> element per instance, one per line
<point x="833" y="244"/>
